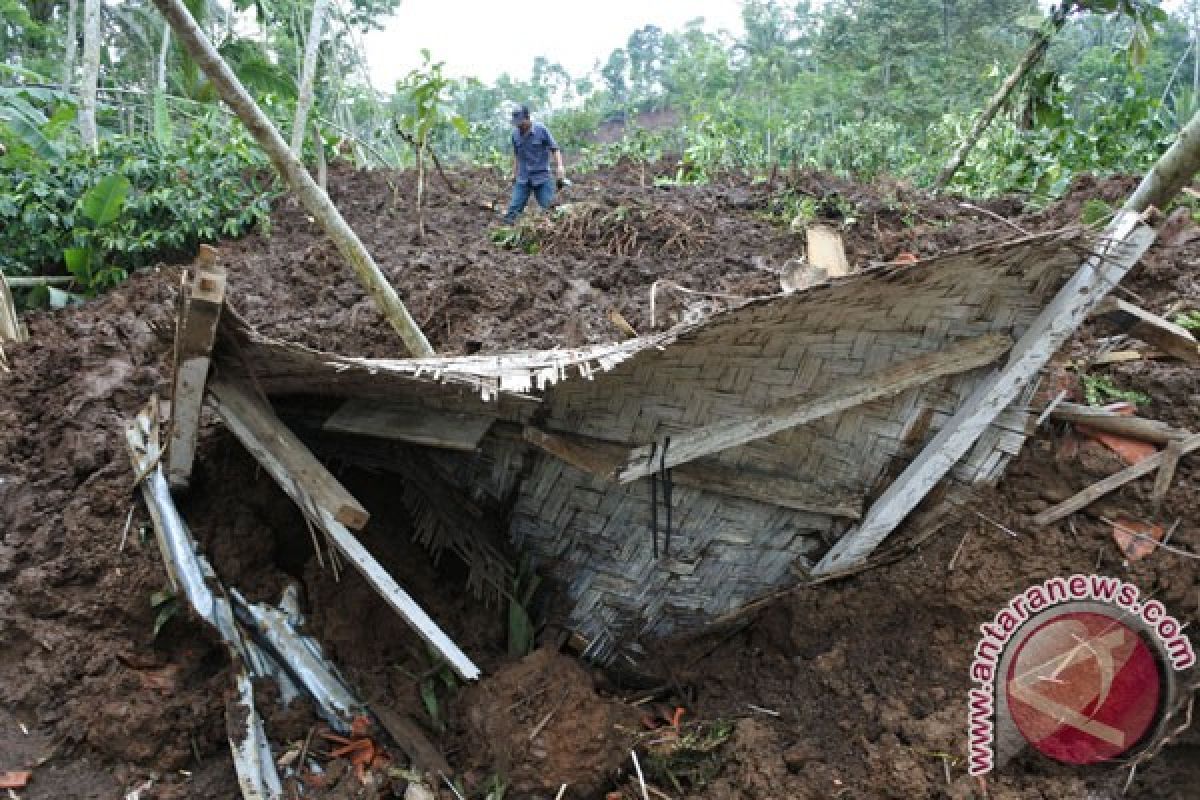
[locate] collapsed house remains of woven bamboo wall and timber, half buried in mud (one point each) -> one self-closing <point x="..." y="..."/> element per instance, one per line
<point x="669" y="480"/>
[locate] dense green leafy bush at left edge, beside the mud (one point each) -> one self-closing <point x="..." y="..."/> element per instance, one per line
<point x="212" y="185"/>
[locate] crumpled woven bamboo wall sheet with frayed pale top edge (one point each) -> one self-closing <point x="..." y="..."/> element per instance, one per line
<point x="595" y="537"/>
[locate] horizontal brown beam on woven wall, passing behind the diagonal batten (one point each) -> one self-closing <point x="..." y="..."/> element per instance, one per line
<point x="602" y="459"/>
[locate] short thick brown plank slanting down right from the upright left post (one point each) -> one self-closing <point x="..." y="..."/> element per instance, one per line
<point x="302" y="468"/>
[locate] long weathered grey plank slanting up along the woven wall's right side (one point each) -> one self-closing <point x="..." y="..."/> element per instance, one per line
<point x="1125" y="240"/>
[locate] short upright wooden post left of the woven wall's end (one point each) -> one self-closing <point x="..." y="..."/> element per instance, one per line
<point x="194" y="354"/>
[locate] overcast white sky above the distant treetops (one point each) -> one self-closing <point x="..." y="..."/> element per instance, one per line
<point x="487" y="38"/>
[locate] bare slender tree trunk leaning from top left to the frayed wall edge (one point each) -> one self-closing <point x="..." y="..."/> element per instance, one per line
<point x="297" y="177"/>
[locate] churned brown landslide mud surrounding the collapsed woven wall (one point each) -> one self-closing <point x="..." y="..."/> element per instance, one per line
<point x="853" y="689"/>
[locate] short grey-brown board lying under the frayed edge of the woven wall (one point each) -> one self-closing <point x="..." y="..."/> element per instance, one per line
<point x="410" y="423"/>
